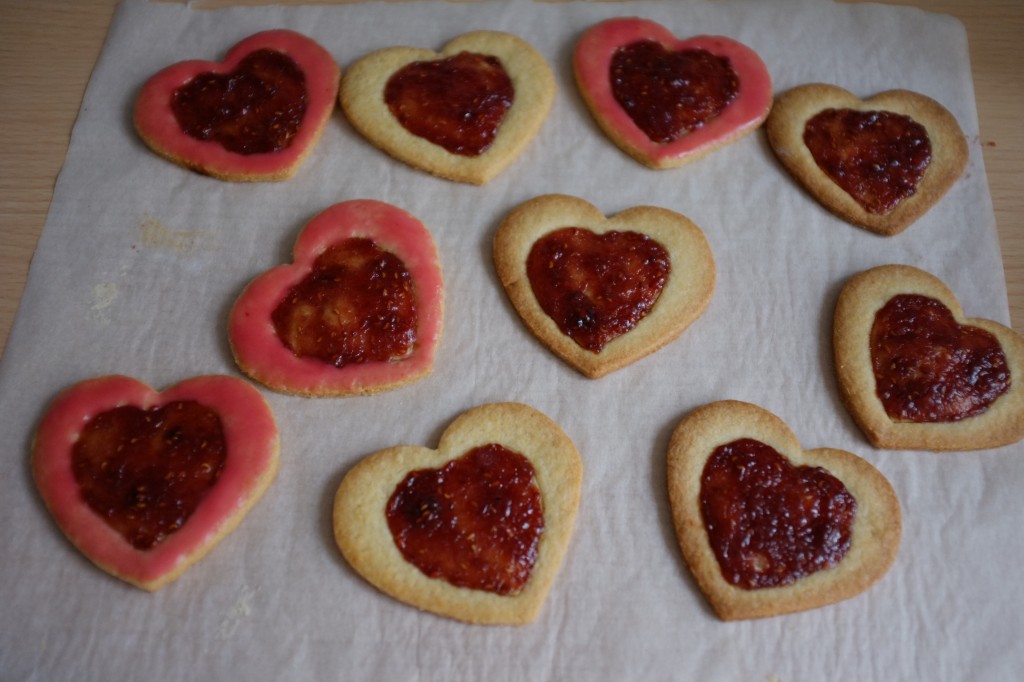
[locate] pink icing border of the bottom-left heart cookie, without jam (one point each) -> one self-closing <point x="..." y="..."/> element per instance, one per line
<point x="251" y="436"/>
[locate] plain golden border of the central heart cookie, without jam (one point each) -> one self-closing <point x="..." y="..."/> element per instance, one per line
<point x="686" y="296"/>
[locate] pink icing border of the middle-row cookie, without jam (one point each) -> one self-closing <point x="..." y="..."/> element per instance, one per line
<point x="257" y="346"/>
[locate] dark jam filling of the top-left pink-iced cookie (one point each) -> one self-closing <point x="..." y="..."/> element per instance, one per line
<point x="255" y="110"/>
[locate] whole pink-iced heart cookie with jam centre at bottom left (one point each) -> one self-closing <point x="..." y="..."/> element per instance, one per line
<point x="145" y="484"/>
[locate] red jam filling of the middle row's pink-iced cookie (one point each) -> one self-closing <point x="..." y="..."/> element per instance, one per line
<point x="357" y="306"/>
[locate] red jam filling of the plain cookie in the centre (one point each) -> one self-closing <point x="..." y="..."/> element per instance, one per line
<point x="598" y="287"/>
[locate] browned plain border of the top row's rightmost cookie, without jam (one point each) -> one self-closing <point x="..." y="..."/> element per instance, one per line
<point x="793" y="109"/>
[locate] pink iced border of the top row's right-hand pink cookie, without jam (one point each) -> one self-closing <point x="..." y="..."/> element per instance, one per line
<point x="592" y="61"/>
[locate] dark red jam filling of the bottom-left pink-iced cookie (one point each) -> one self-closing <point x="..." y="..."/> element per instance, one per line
<point x="145" y="472"/>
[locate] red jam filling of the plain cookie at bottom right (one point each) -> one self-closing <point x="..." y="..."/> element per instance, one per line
<point x="770" y="523"/>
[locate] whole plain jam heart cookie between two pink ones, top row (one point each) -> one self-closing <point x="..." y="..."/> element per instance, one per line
<point x="463" y="114"/>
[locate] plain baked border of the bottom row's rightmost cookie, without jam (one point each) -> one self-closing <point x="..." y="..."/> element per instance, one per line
<point x="877" y="529"/>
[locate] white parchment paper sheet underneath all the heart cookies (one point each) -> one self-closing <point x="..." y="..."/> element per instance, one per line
<point x="141" y="261"/>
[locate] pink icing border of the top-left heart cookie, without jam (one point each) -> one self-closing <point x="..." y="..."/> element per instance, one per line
<point x="156" y="122"/>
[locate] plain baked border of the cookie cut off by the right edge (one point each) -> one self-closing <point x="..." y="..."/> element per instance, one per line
<point x="859" y="303"/>
